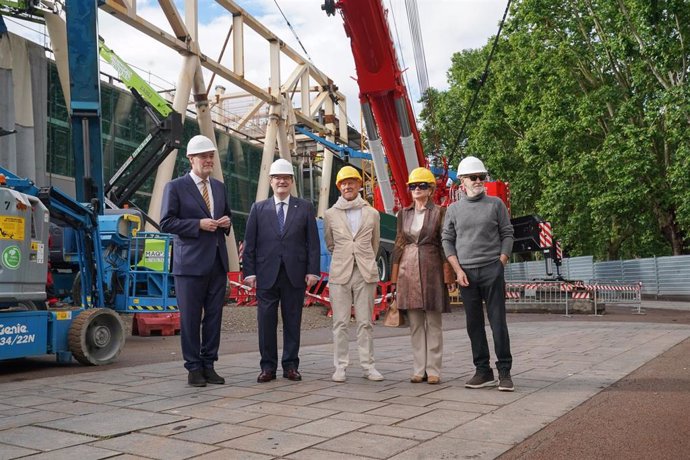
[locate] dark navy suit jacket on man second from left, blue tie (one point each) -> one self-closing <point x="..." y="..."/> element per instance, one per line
<point x="297" y="247"/>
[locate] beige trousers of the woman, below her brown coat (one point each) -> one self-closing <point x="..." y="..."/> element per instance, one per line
<point x="427" y="341"/>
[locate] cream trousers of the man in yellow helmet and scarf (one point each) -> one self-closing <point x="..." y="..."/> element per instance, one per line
<point x="360" y="293"/>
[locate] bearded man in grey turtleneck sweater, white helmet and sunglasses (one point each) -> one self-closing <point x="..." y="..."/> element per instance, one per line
<point x="478" y="241"/>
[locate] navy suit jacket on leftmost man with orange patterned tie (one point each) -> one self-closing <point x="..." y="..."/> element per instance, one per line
<point x="194" y="250"/>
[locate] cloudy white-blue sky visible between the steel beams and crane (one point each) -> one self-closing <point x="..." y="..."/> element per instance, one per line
<point x="447" y="26"/>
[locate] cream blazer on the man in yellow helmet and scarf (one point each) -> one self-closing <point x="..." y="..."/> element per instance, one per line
<point x="346" y="248"/>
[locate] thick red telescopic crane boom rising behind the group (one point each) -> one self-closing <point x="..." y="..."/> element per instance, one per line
<point x="384" y="99"/>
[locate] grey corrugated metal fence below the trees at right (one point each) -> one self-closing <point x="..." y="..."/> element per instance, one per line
<point x="667" y="276"/>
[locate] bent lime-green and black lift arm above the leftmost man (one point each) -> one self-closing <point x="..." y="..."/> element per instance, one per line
<point x="165" y="136"/>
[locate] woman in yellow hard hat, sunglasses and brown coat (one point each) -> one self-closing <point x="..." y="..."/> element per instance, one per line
<point x="422" y="275"/>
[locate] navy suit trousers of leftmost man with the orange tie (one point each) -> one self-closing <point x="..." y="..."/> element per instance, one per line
<point x="200" y="300"/>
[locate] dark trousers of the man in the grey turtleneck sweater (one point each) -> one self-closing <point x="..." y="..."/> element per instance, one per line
<point x="487" y="284"/>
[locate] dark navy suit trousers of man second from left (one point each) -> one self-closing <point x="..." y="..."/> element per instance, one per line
<point x="291" y="300"/>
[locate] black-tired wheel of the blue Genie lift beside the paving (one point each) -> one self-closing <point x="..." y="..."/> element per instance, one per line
<point x="96" y="336"/>
